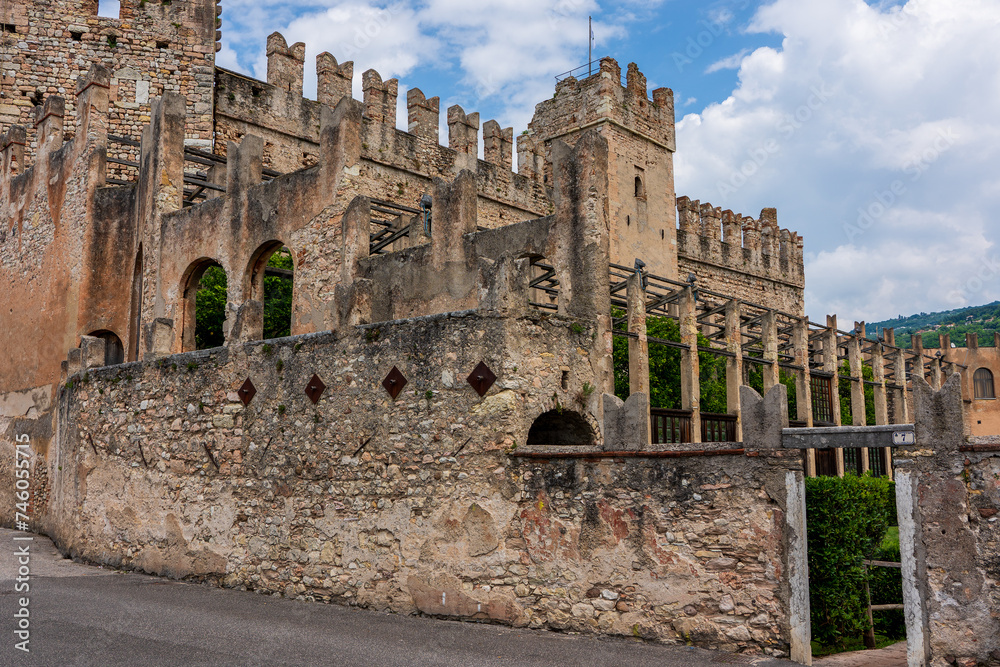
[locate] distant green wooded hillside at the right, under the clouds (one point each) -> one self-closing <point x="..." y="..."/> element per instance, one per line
<point x="983" y="320"/>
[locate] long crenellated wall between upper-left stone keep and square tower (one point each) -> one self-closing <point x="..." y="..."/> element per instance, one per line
<point x="396" y="166"/>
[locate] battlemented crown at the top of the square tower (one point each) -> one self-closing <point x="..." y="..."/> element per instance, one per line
<point x="582" y="103"/>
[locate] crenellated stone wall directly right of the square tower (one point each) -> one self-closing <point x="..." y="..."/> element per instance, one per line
<point x="736" y="255"/>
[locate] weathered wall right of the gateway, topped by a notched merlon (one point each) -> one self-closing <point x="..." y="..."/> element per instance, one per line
<point x="948" y="497"/>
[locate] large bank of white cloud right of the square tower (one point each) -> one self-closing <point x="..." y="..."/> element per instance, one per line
<point x="855" y="100"/>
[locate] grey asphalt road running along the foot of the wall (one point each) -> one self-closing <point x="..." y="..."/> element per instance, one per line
<point x="85" y="615"/>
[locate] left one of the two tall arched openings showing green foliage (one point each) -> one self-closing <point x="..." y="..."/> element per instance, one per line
<point x="203" y="304"/>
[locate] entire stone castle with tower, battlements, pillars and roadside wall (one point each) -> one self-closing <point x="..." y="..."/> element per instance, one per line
<point x="439" y="433"/>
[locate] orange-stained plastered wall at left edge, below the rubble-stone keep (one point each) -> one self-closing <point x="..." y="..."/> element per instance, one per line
<point x="63" y="238"/>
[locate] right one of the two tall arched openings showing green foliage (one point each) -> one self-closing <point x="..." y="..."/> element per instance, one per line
<point x="270" y="280"/>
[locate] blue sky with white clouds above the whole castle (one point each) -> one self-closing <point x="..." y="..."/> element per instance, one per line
<point x="873" y="127"/>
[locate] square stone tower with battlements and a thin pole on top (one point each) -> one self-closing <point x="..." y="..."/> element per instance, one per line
<point x="640" y="135"/>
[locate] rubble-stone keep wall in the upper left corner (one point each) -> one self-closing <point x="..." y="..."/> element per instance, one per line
<point x="151" y="49"/>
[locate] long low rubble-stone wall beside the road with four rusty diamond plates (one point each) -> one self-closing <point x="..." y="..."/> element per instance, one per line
<point x="425" y="503"/>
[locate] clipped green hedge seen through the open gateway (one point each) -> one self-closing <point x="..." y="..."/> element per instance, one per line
<point x="847" y="520"/>
